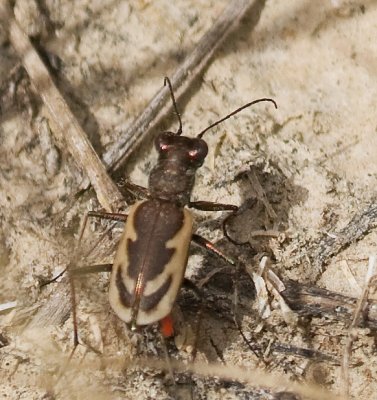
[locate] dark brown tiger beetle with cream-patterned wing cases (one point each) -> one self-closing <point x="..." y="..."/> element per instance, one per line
<point x="152" y="255"/>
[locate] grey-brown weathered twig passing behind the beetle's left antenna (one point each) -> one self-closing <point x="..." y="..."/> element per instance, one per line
<point x="183" y="78"/>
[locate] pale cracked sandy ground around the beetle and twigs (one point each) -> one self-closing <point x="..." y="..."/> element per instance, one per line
<point x="314" y="158"/>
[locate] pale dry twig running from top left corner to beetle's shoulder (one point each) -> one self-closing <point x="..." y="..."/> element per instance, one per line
<point x="74" y="136"/>
